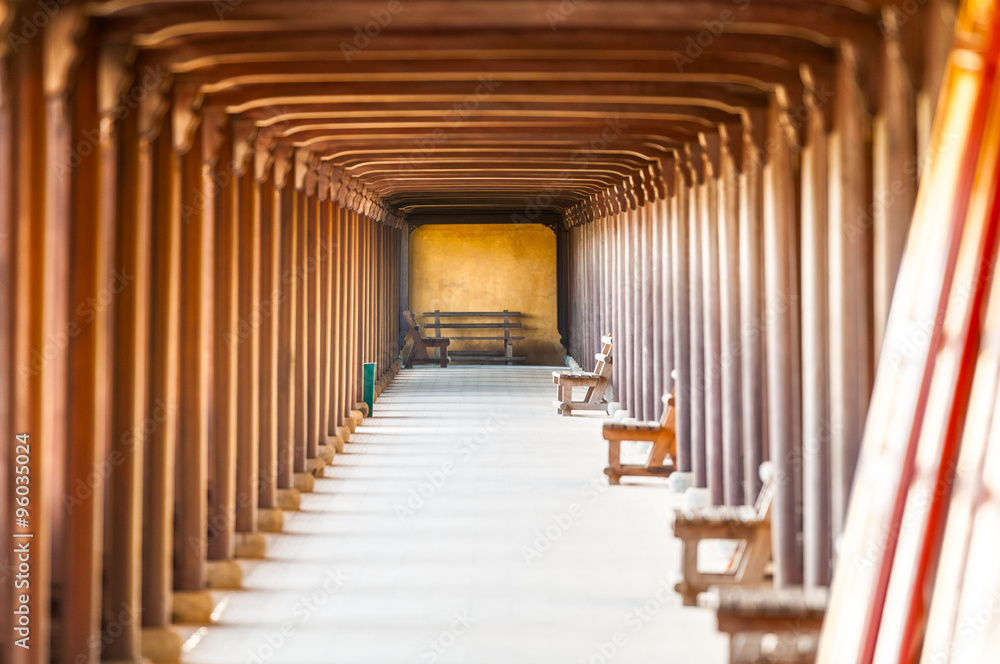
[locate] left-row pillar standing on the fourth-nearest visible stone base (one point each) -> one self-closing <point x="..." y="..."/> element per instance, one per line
<point x="247" y="219"/>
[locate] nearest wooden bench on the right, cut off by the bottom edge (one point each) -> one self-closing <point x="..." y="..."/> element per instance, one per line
<point x="770" y="625"/>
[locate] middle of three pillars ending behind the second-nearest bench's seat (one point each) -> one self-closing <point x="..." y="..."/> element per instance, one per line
<point x="730" y="373"/>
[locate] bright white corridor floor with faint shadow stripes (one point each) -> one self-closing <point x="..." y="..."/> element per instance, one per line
<point x="467" y="523"/>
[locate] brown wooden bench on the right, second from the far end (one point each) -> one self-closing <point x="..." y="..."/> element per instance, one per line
<point x="660" y="462"/>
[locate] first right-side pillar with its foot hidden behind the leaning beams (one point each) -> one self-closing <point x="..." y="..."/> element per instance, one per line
<point x="851" y="359"/>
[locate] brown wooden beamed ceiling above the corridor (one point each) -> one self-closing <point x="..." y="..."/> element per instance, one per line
<point x="504" y="106"/>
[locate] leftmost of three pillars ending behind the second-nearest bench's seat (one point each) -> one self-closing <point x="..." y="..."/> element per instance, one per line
<point x="711" y="310"/>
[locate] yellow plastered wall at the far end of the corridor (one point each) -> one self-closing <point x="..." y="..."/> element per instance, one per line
<point x="489" y="267"/>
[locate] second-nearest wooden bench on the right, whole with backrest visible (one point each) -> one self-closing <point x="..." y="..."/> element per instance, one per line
<point x="749" y="526"/>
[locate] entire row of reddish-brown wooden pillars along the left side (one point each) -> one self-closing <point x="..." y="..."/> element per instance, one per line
<point x="186" y="309"/>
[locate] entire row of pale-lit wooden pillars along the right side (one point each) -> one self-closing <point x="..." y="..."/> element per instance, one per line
<point x="756" y="287"/>
